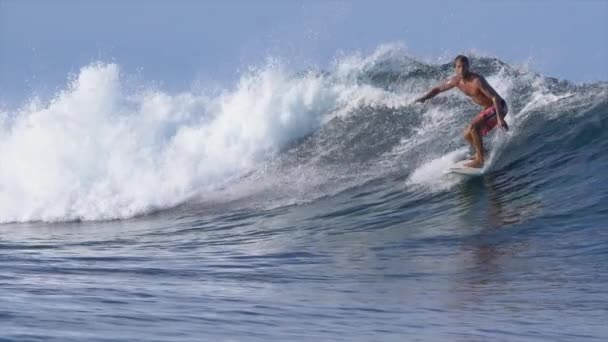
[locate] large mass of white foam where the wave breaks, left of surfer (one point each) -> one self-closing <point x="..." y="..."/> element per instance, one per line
<point x="98" y="152"/>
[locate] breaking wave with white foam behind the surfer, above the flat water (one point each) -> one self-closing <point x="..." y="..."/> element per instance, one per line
<point x="102" y="149"/>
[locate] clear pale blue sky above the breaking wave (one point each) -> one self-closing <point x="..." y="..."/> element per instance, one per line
<point x="177" y="42"/>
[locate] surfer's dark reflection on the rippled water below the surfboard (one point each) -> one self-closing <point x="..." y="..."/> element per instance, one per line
<point x="492" y="209"/>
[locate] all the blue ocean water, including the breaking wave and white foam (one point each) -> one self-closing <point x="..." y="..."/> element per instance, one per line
<point x="301" y="206"/>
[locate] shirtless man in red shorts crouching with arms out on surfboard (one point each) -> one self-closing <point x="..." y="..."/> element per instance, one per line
<point x="478" y="89"/>
